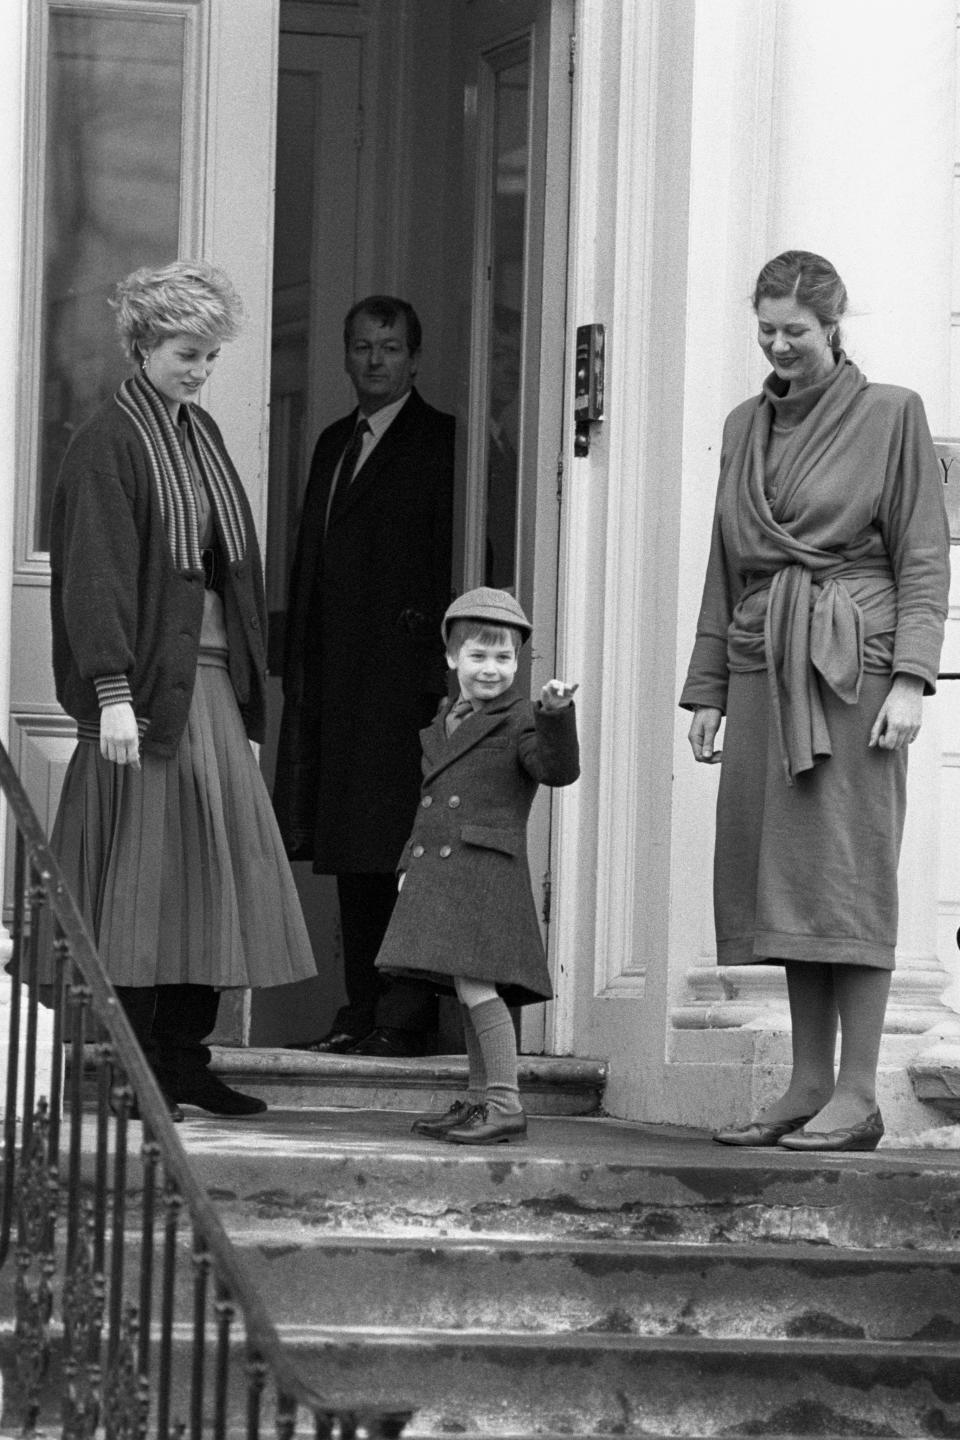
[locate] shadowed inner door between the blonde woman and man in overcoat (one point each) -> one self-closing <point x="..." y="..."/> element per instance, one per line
<point x="314" y="284"/>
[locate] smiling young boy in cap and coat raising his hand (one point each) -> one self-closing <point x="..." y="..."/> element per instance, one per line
<point x="466" y="917"/>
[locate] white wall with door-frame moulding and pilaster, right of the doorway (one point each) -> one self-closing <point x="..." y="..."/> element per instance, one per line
<point x="707" y="139"/>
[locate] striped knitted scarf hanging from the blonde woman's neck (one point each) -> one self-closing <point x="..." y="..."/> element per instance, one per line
<point x="171" y="473"/>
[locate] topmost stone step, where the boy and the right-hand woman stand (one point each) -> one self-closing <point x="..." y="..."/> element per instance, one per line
<point x="362" y="1173"/>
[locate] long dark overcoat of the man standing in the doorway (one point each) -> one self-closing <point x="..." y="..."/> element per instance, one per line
<point x="363" y="654"/>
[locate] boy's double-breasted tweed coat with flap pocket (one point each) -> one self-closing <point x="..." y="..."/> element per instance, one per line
<point x="467" y="905"/>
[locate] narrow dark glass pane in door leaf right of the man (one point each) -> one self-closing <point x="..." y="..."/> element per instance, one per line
<point x="512" y="145"/>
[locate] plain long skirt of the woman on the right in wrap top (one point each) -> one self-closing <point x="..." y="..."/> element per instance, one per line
<point x="808" y="872"/>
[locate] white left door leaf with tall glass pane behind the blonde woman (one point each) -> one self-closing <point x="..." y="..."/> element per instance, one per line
<point x="149" y="135"/>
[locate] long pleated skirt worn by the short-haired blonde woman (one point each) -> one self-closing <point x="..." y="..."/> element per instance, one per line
<point x="179" y="869"/>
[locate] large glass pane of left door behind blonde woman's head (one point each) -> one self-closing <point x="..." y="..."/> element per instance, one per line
<point x="112" y="204"/>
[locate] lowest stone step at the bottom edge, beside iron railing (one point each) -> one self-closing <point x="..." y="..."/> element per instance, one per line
<point x="630" y="1386"/>
